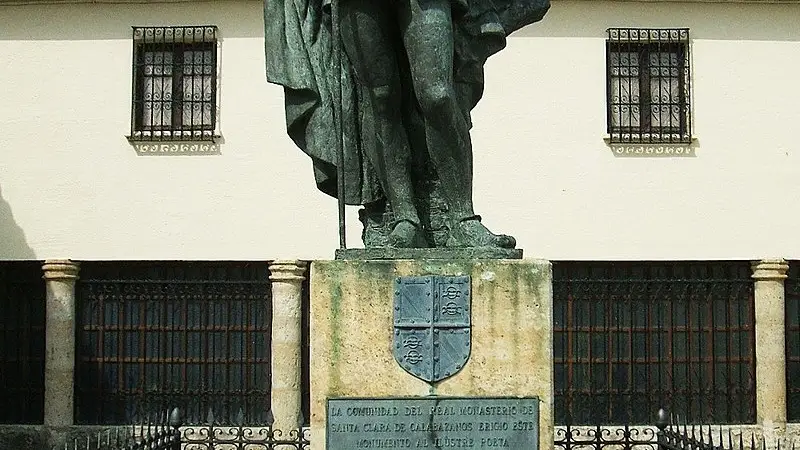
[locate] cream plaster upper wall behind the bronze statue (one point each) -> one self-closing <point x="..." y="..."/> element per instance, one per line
<point x="72" y="186"/>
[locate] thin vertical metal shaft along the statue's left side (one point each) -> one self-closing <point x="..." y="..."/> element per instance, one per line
<point x="337" y="113"/>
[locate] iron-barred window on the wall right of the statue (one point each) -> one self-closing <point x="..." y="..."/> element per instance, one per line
<point x="648" y="85"/>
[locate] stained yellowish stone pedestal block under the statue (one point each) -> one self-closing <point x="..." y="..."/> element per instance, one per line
<point x="352" y="335"/>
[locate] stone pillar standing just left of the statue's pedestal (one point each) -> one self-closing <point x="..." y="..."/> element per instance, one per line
<point x="286" y="398"/>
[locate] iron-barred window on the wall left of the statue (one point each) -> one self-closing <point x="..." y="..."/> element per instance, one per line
<point x="174" y="83"/>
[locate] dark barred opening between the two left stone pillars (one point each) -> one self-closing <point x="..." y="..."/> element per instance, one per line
<point x="154" y="335"/>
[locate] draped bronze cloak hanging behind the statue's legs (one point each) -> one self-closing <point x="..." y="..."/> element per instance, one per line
<point x="299" y="49"/>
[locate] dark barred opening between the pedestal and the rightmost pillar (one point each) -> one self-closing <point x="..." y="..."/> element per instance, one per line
<point x="631" y="337"/>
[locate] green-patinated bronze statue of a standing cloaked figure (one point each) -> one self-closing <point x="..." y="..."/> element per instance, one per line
<point x="412" y="72"/>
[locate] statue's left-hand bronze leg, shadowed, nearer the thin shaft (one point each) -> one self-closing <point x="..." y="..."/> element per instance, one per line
<point x="369" y="31"/>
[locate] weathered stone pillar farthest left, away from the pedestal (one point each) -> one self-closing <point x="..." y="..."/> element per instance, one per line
<point x="60" y="276"/>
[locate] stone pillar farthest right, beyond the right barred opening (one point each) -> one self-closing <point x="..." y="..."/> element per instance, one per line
<point x="769" y="275"/>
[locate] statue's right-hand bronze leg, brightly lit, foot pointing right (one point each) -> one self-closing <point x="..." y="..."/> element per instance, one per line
<point x="427" y="29"/>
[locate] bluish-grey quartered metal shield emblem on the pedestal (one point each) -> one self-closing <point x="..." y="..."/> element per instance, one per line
<point x="432" y="325"/>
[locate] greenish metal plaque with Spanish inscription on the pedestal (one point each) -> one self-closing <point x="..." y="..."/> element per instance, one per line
<point x="433" y="423"/>
